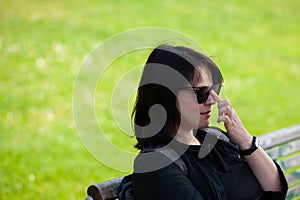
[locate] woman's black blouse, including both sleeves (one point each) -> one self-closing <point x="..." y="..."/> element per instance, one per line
<point x="221" y="174"/>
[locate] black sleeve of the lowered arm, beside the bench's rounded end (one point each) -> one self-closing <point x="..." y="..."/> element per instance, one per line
<point x="167" y="183"/>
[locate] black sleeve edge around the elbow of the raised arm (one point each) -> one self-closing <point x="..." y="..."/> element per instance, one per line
<point x="270" y="195"/>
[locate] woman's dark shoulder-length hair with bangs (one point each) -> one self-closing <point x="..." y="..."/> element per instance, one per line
<point x="154" y="88"/>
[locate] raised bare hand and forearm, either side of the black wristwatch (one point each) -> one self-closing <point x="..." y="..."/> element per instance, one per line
<point x="260" y="163"/>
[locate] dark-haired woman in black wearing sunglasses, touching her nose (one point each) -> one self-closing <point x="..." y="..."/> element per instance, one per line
<point x="178" y="88"/>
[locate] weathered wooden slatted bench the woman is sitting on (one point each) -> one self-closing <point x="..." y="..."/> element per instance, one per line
<point x="282" y="145"/>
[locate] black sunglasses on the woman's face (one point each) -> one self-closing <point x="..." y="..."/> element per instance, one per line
<point x="203" y="93"/>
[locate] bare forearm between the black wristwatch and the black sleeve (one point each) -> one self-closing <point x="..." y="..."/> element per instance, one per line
<point x="264" y="170"/>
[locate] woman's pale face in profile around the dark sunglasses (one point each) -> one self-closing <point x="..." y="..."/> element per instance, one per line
<point x="193" y="114"/>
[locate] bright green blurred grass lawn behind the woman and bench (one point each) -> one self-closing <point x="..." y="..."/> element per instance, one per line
<point x="42" y="47"/>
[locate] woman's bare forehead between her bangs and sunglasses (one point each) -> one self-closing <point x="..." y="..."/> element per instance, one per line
<point x="202" y="77"/>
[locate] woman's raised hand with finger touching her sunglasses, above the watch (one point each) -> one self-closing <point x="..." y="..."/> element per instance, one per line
<point x="234" y="126"/>
